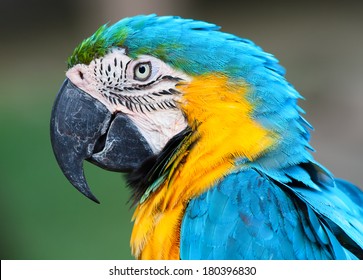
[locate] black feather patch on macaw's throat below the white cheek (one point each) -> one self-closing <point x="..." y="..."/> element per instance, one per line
<point x="152" y="168"/>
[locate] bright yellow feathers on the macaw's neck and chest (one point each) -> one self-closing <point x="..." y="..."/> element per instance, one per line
<point x="220" y="116"/>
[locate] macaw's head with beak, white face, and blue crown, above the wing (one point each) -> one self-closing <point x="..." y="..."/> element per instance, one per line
<point x="148" y="88"/>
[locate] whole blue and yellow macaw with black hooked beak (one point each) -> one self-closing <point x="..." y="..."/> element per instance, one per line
<point x="213" y="141"/>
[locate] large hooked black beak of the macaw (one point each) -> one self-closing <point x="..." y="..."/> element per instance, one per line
<point x="82" y="128"/>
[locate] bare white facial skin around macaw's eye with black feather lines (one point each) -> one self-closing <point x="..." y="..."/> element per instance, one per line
<point x="144" y="89"/>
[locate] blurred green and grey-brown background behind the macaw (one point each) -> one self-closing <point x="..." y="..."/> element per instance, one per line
<point x="43" y="217"/>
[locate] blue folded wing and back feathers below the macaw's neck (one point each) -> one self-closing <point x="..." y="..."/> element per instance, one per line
<point x="249" y="215"/>
